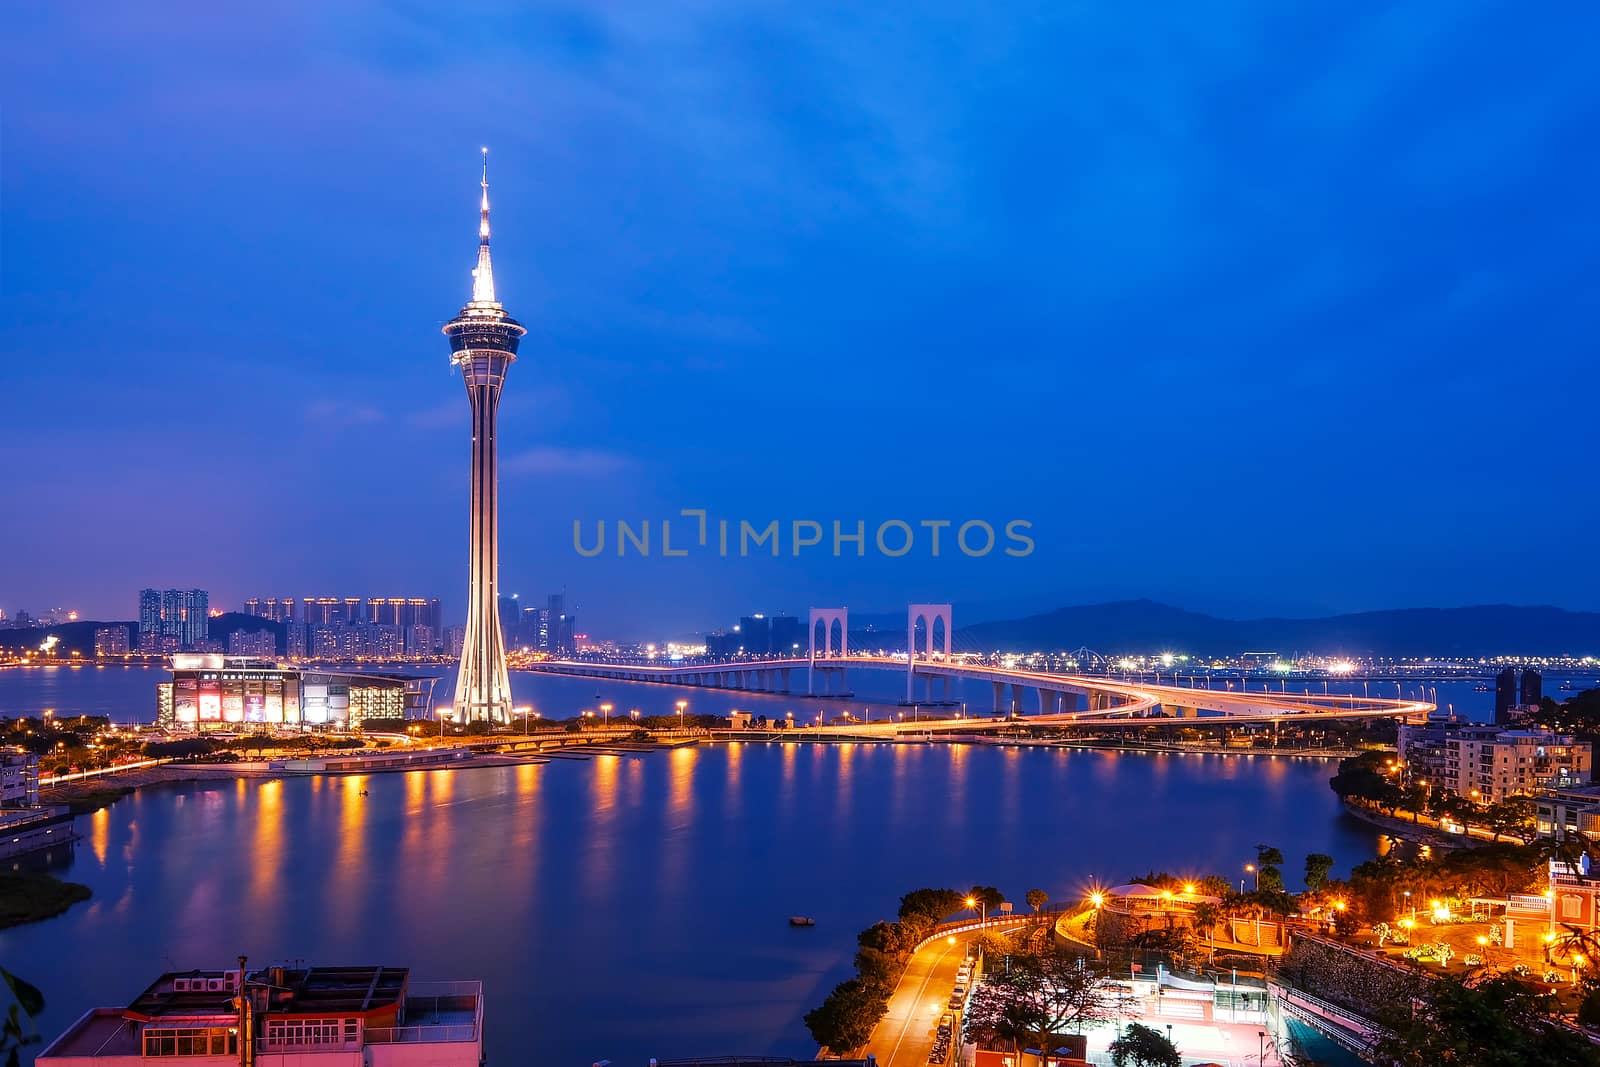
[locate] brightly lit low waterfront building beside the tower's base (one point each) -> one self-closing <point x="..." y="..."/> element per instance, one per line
<point x="234" y="692"/>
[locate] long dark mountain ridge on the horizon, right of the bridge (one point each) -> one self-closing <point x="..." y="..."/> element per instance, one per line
<point x="1145" y="626"/>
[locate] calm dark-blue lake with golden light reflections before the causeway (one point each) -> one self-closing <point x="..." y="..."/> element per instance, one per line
<point x="638" y="906"/>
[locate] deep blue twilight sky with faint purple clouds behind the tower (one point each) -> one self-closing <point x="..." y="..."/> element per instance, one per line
<point x="1246" y="306"/>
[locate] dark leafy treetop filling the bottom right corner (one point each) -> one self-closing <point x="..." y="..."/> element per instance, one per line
<point x="1490" y="1023"/>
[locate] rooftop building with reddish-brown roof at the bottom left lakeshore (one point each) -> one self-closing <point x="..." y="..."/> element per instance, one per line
<point x="375" y="1017"/>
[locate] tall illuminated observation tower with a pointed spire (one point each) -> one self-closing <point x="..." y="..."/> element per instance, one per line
<point x="484" y="345"/>
